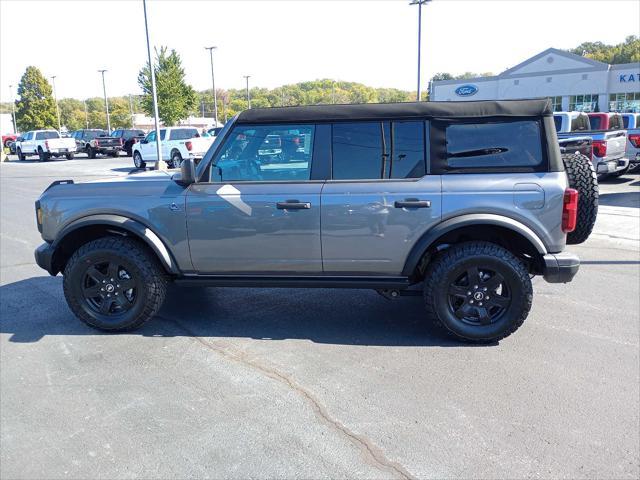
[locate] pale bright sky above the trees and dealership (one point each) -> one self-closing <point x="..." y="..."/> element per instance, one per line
<point x="282" y="42"/>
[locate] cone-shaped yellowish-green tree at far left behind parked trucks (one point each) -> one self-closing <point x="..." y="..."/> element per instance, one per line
<point x="36" y="107"/>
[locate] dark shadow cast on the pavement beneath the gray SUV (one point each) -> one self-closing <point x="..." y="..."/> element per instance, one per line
<point x="34" y="308"/>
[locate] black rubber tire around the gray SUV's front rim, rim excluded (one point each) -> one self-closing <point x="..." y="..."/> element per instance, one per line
<point x="150" y="292"/>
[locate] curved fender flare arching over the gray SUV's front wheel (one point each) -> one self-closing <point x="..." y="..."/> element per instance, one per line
<point x="130" y="225"/>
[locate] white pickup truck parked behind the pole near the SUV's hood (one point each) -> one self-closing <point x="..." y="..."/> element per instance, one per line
<point x="177" y="143"/>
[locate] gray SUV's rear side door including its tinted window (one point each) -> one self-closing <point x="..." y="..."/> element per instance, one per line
<point x="380" y="199"/>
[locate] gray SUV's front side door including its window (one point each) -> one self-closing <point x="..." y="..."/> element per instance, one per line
<point x="260" y="211"/>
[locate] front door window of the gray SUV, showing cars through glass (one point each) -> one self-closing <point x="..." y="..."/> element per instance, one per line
<point x="265" y="153"/>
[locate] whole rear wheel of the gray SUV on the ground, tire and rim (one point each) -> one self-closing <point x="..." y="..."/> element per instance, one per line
<point x="477" y="292"/>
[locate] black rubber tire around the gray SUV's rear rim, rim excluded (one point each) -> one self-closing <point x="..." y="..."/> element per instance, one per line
<point x="483" y="255"/>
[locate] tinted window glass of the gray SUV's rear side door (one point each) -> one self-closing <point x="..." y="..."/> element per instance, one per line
<point x="378" y="150"/>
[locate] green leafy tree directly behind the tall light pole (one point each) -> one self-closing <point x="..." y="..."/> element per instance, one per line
<point x="176" y="99"/>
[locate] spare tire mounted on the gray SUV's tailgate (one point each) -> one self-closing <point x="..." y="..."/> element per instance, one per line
<point x="582" y="177"/>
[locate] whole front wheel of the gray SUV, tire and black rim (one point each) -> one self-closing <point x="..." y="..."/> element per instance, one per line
<point x="114" y="284"/>
